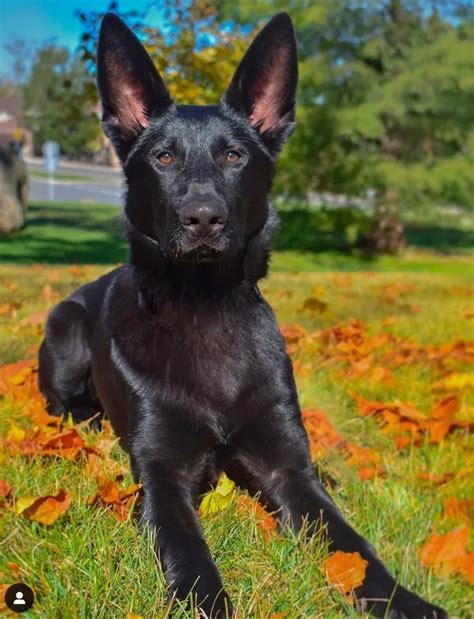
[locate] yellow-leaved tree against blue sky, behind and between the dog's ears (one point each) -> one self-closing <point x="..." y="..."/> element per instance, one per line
<point x="194" y="51"/>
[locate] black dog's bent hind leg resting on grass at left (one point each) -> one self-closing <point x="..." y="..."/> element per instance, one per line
<point x="64" y="363"/>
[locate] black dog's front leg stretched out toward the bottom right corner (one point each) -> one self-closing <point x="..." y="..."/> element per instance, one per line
<point x="274" y="461"/>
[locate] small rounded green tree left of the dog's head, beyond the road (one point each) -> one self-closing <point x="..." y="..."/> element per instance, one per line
<point x="59" y="102"/>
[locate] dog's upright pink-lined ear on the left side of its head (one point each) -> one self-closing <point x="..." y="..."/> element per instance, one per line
<point x="130" y="87"/>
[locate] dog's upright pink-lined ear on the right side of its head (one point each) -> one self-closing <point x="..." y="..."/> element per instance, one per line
<point x="264" y="86"/>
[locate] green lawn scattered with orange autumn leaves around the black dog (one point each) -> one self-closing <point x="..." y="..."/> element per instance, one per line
<point x="87" y="564"/>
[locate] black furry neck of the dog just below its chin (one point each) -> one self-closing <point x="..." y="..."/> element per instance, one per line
<point x="245" y="269"/>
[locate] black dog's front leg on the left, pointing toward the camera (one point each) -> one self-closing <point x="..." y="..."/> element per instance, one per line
<point x="184" y="555"/>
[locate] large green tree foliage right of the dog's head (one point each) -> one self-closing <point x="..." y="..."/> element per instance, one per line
<point x="385" y="98"/>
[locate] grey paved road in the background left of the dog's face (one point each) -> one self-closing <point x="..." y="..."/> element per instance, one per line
<point x="97" y="184"/>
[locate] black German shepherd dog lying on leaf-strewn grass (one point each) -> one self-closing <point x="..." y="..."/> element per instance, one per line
<point x="178" y="346"/>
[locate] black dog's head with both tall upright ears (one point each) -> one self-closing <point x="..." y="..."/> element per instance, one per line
<point x="198" y="176"/>
